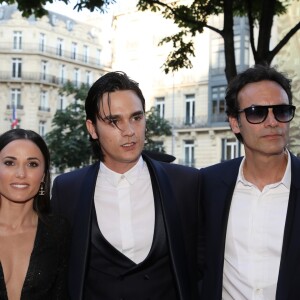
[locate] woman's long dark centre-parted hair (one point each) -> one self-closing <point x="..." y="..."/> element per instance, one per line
<point x="41" y="203"/>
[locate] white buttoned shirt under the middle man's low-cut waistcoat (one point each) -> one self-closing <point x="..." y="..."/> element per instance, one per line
<point x="125" y="209"/>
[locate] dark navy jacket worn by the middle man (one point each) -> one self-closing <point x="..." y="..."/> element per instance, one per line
<point x="178" y="186"/>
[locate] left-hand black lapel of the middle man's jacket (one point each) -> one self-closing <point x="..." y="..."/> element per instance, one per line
<point x="81" y="231"/>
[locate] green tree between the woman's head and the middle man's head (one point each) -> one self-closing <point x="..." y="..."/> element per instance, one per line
<point x="68" y="140"/>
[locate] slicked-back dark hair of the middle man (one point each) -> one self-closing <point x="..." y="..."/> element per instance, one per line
<point x="108" y="83"/>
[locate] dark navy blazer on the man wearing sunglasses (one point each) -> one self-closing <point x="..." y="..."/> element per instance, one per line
<point x="217" y="186"/>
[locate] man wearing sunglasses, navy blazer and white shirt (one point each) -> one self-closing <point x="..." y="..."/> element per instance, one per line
<point x="251" y="205"/>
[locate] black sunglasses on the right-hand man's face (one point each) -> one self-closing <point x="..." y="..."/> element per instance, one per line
<point x="256" y="114"/>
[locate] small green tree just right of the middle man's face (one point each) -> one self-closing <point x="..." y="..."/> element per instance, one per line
<point x="156" y="126"/>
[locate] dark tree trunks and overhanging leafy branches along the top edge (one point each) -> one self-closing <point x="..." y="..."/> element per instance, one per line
<point x="192" y="19"/>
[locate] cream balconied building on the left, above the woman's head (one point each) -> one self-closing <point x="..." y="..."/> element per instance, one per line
<point x="38" y="56"/>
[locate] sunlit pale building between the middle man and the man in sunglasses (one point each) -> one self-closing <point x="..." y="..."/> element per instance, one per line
<point x="192" y="100"/>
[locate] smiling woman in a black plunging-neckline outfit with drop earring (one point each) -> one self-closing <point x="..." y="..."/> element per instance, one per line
<point x="33" y="243"/>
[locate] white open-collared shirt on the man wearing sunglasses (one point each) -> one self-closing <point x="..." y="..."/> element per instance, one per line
<point x="254" y="238"/>
